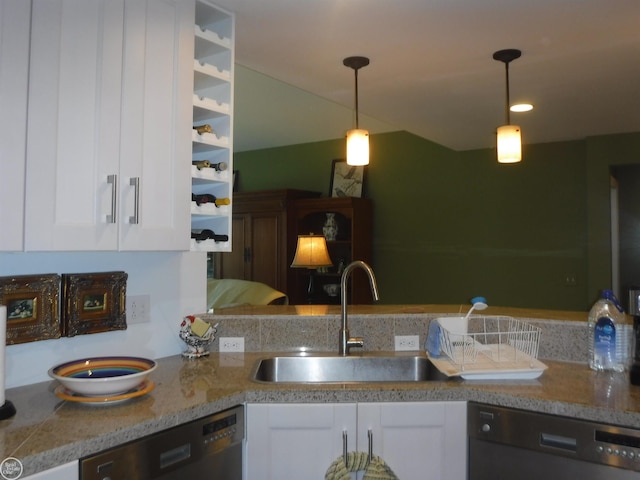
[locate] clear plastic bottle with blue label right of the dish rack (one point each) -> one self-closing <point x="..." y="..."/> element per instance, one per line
<point x="608" y="335"/>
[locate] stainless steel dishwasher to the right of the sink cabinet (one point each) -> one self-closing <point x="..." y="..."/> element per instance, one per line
<point x="515" y="444"/>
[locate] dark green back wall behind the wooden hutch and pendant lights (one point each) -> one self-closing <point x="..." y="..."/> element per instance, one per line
<point x="451" y="225"/>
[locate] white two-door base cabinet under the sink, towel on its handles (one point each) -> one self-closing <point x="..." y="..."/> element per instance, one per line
<point x="421" y="440"/>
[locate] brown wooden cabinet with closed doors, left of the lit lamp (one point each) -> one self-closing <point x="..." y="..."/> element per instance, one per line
<point x="263" y="238"/>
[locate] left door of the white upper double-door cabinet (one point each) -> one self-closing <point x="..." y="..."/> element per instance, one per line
<point x="73" y="124"/>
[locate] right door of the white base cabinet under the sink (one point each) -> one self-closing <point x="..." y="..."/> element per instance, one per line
<point x="424" y="440"/>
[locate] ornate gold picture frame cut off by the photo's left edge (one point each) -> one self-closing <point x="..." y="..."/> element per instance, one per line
<point x="32" y="307"/>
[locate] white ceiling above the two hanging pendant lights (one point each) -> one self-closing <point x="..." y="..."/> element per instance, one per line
<point x="432" y="71"/>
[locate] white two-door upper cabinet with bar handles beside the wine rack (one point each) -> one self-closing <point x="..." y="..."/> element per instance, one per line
<point x="108" y="125"/>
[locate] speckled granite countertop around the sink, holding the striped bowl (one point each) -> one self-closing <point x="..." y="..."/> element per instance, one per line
<point x="47" y="431"/>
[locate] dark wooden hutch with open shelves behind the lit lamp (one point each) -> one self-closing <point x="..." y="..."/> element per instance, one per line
<point x="353" y="242"/>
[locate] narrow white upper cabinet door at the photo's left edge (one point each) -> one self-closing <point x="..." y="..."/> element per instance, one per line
<point x="14" y="69"/>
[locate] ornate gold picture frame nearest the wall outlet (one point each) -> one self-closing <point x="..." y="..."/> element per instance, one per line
<point x="93" y="302"/>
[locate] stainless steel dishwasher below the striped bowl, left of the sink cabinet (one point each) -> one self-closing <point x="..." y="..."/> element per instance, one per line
<point x="206" y="449"/>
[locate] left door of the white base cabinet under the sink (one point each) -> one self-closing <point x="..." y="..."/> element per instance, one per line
<point x="286" y="441"/>
